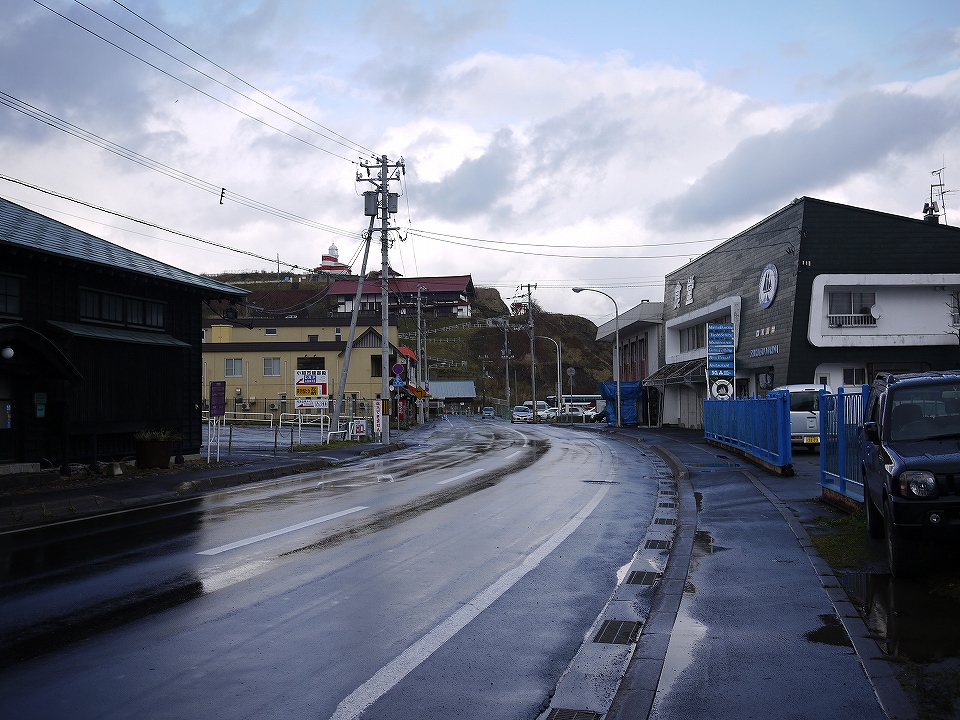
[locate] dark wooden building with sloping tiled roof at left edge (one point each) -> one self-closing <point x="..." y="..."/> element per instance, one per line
<point x="96" y="343"/>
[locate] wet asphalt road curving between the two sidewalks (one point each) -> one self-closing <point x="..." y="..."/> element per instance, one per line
<point x="453" y="579"/>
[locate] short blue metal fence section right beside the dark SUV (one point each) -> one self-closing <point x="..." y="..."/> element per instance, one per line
<point x="841" y="417"/>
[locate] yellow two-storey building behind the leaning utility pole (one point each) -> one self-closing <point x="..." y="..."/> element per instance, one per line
<point x="259" y="358"/>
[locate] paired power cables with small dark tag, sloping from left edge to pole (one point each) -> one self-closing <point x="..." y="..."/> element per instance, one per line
<point x="70" y="129"/>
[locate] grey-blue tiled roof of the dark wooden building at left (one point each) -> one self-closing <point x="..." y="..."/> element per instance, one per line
<point x="29" y="229"/>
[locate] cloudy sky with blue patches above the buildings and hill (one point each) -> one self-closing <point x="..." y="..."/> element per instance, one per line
<point x="560" y="143"/>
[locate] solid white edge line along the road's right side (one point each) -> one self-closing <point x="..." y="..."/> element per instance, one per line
<point x="393" y="672"/>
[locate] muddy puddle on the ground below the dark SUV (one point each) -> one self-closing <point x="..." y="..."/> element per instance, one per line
<point x="914" y="619"/>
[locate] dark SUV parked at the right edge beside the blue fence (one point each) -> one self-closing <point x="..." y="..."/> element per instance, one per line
<point x="911" y="462"/>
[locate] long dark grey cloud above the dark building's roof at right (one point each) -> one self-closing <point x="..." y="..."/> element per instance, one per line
<point x="766" y="170"/>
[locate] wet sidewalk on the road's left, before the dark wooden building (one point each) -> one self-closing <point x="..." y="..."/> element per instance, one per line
<point x="54" y="499"/>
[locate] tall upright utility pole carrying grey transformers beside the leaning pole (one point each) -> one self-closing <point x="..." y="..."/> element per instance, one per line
<point x="383" y="203"/>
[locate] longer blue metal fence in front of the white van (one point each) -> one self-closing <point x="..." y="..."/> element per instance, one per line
<point x="757" y="426"/>
